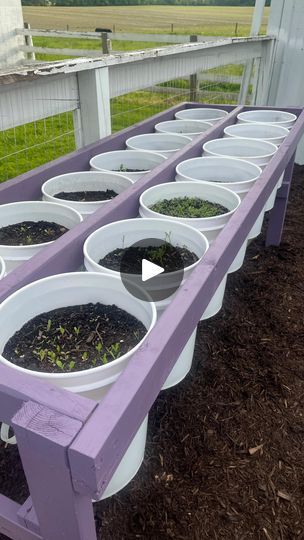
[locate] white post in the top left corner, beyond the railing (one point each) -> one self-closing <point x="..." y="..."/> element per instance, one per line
<point x="11" y="19"/>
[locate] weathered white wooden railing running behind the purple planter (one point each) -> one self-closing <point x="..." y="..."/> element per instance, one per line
<point x="86" y="86"/>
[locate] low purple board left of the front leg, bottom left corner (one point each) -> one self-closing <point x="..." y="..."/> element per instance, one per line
<point x="9" y="524"/>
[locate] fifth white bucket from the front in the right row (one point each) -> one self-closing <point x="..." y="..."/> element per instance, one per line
<point x="253" y="150"/>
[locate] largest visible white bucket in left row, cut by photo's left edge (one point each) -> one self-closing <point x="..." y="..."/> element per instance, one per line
<point x="32" y="211"/>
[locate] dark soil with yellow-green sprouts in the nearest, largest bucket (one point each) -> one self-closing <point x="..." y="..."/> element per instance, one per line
<point x="74" y="338"/>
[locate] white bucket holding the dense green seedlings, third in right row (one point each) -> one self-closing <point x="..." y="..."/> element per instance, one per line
<point x="210" y="227"/>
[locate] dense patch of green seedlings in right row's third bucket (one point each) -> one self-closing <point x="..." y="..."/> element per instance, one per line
<point x="188" y="207"/>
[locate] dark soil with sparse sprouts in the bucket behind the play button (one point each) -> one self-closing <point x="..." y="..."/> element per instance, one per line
<point x="170" y="257"/>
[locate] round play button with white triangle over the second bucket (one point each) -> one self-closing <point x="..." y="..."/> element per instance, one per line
<point x="151" y="266"/>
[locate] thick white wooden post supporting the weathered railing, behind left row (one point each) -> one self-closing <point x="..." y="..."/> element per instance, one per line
<point x="93" y="120"/>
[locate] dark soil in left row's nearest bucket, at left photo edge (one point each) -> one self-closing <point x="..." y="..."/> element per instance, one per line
<point x="28" y="233"/>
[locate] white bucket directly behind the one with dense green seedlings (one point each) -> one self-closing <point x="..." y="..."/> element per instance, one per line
<point x="236" y="174"/>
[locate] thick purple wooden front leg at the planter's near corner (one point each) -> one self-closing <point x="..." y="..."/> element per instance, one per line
<point x="44" y="437"/>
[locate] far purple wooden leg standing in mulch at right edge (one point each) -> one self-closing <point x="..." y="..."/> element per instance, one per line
<point x="277" y="214"/>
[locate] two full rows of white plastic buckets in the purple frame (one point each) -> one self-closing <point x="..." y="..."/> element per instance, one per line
<point x="224" y="174"/>
